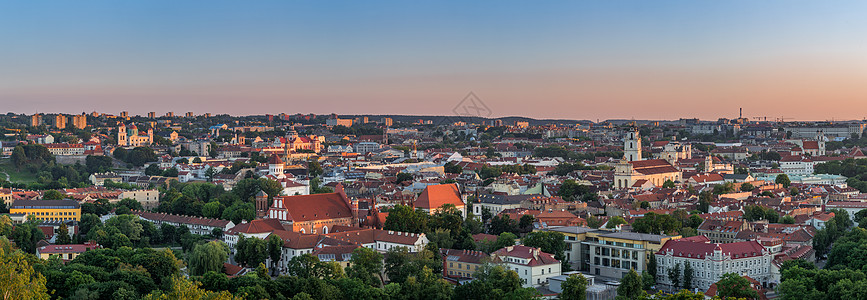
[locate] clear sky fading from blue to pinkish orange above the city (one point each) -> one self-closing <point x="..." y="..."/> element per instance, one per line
<point x="804" y="60"/>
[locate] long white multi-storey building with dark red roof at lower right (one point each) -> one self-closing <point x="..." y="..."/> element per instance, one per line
<point x="709" y="261"/>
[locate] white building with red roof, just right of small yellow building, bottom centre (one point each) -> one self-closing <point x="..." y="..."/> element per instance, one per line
<point x="531" y="264"/>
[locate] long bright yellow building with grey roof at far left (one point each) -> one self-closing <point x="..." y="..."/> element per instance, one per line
<point x="48" y="210"/>
